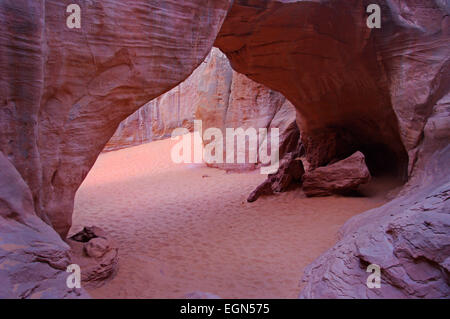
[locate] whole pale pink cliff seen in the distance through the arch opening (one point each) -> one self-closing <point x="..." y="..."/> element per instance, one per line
<point x="220" y="98"/>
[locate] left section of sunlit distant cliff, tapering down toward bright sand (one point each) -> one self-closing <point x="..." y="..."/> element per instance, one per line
<point x="208" y="87"/>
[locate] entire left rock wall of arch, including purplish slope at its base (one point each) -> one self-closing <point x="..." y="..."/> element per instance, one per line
<point x="63" y="92"/>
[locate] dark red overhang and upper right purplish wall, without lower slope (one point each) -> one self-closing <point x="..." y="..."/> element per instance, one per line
<point x="355" y="88"/>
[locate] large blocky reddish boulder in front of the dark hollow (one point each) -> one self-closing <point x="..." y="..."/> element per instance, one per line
<point x="338" y="178"/>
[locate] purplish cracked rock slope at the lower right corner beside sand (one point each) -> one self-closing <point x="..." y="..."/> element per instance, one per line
<point x="408" y="238"/>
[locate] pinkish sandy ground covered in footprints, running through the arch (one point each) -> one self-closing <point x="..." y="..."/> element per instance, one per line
<point x="185" y="228"/>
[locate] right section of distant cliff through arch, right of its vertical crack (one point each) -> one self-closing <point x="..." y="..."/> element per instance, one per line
<point x="232" y="100"/>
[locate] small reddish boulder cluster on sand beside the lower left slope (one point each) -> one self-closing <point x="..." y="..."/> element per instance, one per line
<point x="96" y="254"/>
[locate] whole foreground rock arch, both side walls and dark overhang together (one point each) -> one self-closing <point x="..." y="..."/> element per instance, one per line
<point x="381" y="91"/>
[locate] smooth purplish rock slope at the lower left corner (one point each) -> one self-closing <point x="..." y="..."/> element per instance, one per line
<point x="33" y="258"/>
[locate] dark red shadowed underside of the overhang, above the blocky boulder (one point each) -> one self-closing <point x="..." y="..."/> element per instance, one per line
<point x="324" y="59"/>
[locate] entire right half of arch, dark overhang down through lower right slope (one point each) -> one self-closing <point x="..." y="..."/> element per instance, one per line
<point x="383" y="92"/>
